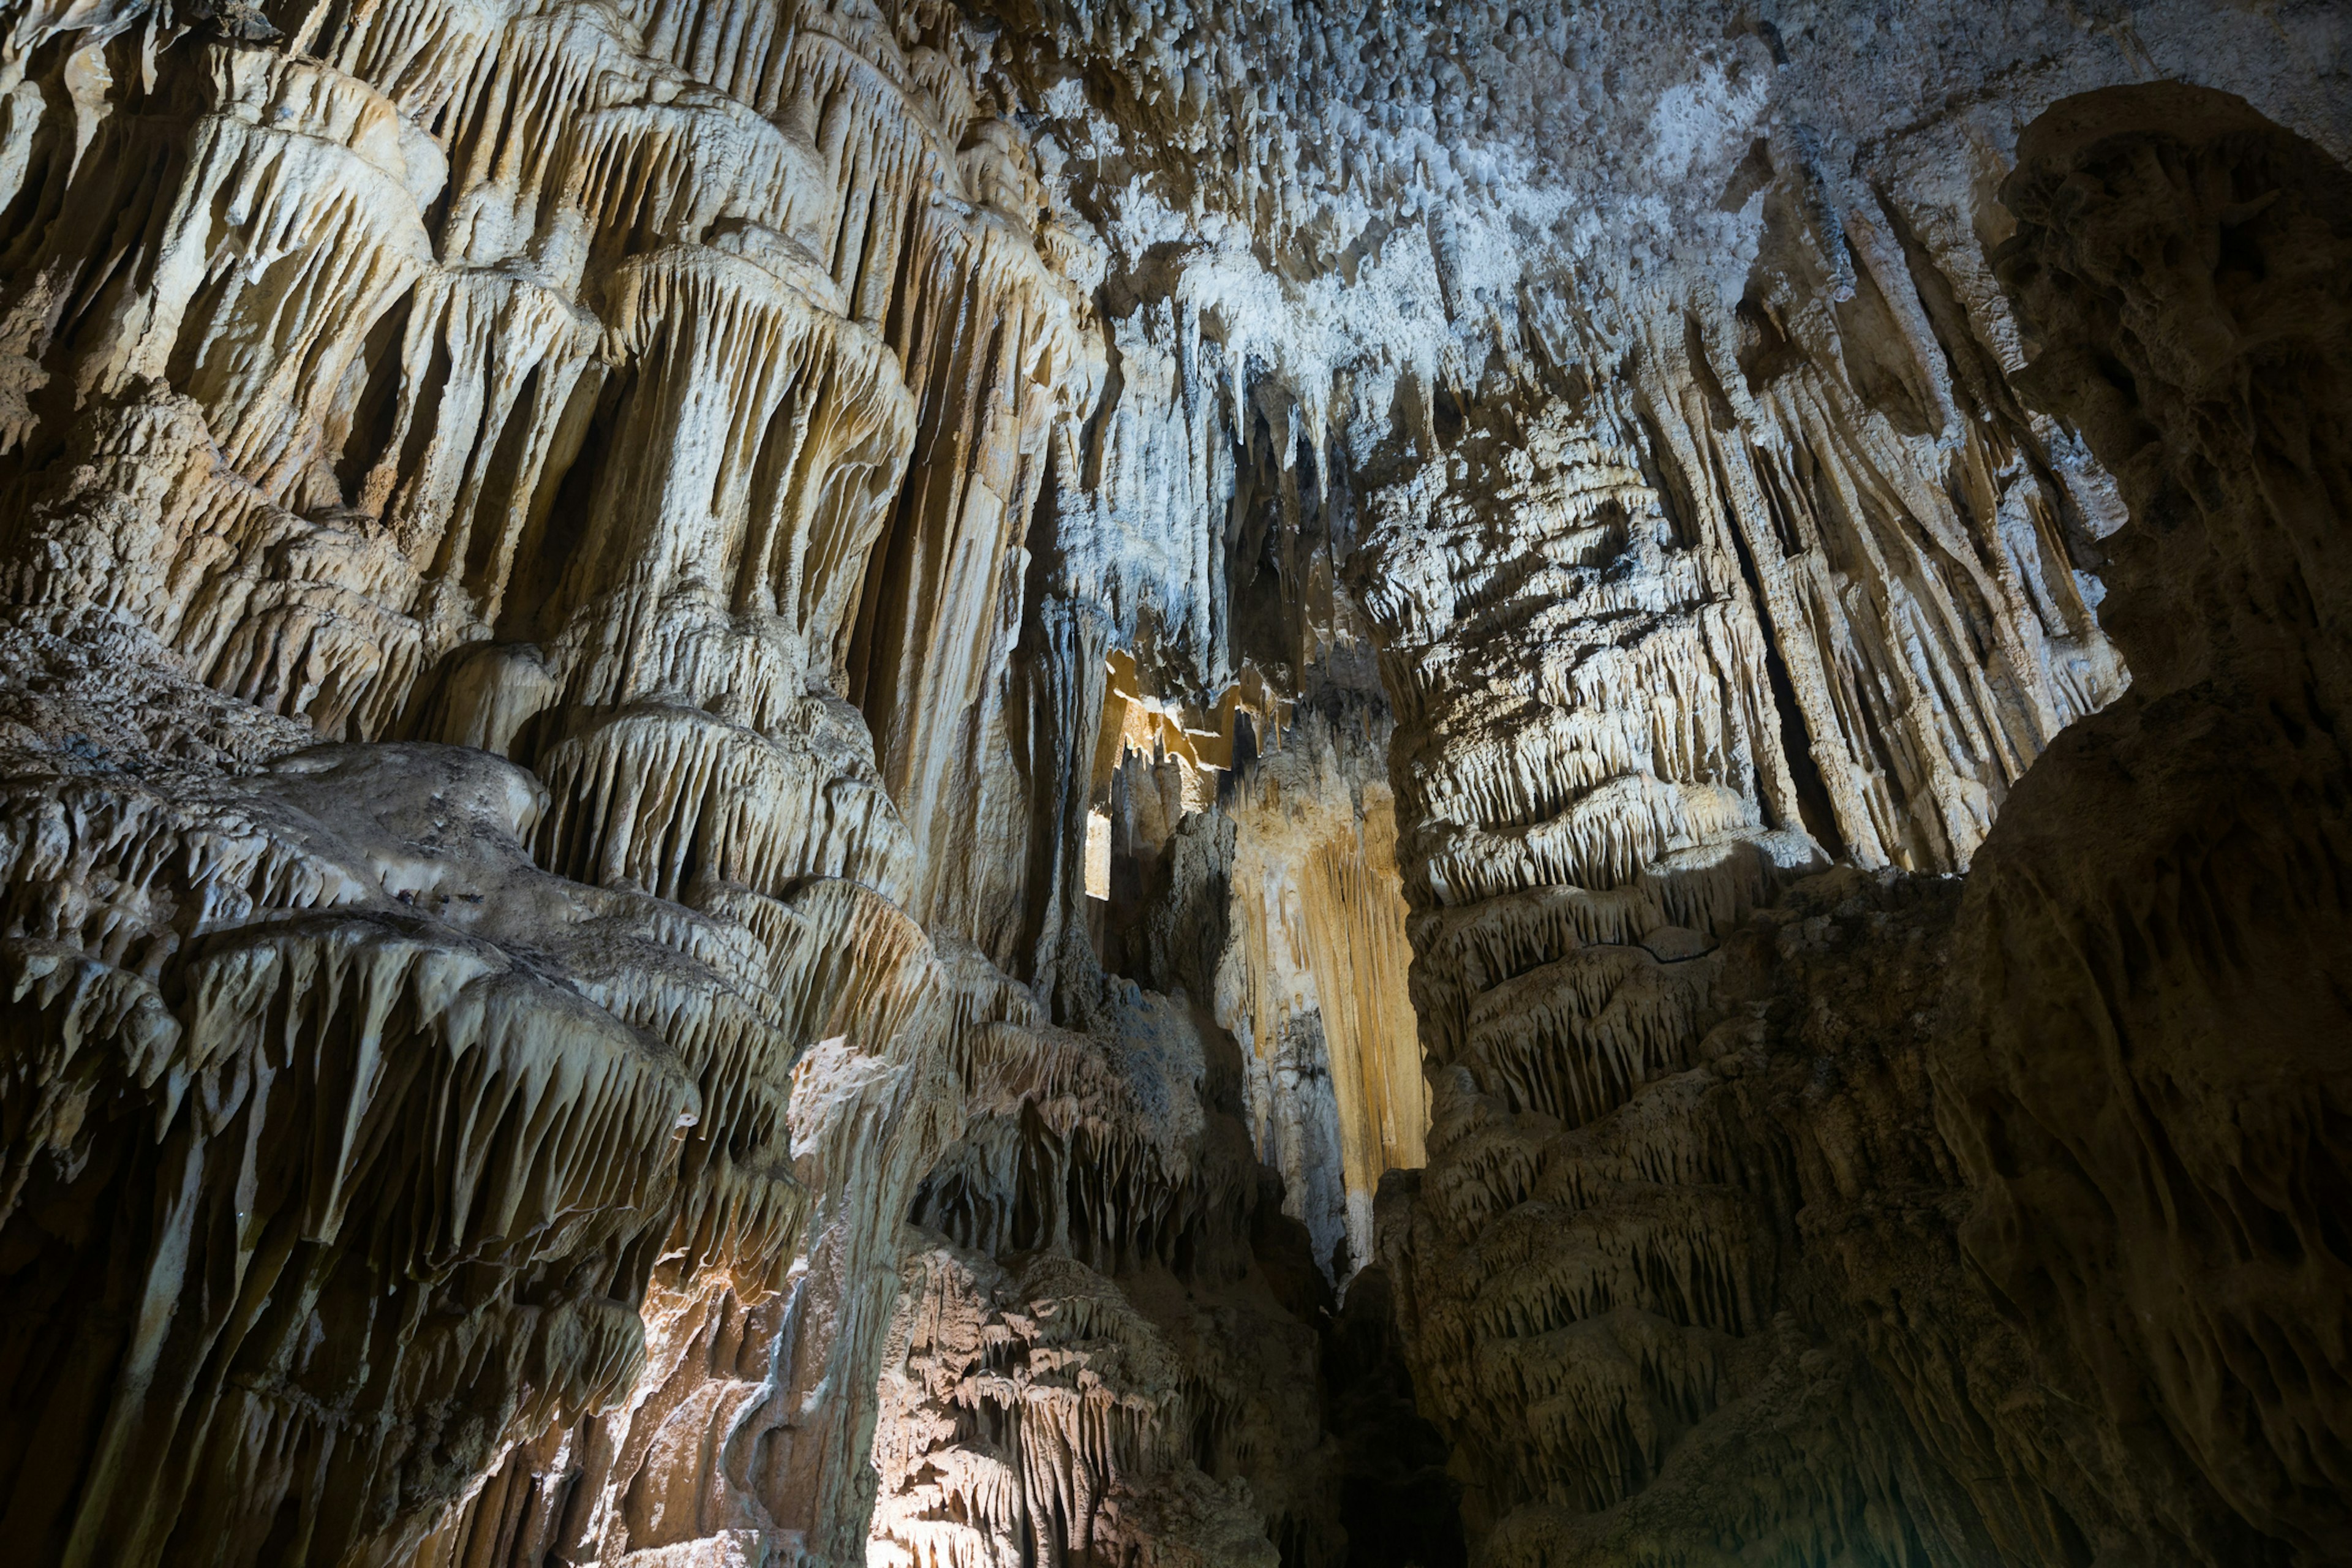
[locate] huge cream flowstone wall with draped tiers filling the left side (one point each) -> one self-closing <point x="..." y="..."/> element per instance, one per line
<point x="399" y="1127"/>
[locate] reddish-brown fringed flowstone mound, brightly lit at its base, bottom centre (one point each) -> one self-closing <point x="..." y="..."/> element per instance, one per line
<point x="1090" y="1355"/>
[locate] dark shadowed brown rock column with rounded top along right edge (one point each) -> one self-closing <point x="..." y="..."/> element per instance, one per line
<point x="2144" y="1066"/>
